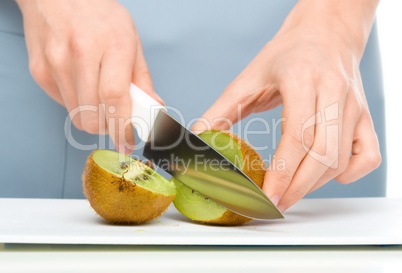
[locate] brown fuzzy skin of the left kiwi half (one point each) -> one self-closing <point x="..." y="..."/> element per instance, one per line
<point x="118" y="200"/>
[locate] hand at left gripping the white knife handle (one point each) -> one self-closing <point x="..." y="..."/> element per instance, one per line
<point x="87" y="53"/>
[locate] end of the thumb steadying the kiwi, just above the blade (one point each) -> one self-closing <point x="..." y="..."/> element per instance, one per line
<point x="222" y="115"/>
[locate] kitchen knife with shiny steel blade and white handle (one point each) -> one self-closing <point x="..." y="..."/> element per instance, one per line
<point x="185" y="156"/>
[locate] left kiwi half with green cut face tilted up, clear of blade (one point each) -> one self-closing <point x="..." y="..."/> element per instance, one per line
<point x="123" y="190"/>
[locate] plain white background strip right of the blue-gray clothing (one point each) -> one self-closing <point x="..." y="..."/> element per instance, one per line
<point x="389" y="16"/>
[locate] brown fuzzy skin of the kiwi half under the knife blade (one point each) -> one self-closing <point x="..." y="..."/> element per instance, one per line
<point x="254" y="167"/>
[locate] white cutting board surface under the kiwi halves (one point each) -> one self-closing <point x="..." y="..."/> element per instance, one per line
<point x="353" y="221"/>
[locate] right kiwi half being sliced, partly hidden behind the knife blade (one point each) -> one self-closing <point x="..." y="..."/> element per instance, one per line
<point x="198" y="207"/>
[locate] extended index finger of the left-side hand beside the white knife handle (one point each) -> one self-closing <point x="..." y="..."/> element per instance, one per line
<point x="115" y="78"/>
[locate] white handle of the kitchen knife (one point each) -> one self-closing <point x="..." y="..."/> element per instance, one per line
<point x="144" y="111"/>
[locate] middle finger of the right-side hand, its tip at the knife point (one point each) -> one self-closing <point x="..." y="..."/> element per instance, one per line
<point x="325" y="151"/>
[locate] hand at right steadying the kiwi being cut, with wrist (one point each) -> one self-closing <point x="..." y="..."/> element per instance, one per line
<point x="312" y="67"/>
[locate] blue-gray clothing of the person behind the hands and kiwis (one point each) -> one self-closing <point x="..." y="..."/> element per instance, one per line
<point x="194" y="49"/>
